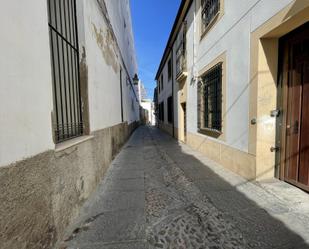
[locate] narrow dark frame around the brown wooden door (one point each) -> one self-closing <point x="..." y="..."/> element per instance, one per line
<point x="283" y="105"/>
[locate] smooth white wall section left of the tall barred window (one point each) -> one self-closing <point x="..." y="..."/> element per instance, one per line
<point x="26" y="86"/>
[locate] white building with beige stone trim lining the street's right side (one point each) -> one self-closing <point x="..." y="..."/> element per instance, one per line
<point x="232" y="84"/>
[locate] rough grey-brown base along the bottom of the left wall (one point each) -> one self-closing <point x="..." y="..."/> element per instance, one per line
<point x="42" y="195"/>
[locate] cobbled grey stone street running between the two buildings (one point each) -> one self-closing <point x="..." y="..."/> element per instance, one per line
<point x="161" y="194"/>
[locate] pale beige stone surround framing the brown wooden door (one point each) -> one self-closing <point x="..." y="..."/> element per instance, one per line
<point x="263" y="87"/>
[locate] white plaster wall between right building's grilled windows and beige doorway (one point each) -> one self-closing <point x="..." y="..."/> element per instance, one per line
<point x="232" y="36"/>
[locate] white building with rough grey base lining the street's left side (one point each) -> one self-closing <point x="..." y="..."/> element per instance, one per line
<point x="67" y="105"/>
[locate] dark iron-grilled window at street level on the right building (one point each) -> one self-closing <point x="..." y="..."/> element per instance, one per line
<point x="210" y="100"/>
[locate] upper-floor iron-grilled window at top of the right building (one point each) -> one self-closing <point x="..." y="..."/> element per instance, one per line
<point x="210" y="9"/>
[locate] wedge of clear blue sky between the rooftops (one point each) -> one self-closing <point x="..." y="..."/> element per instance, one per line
<point x="152" y="23"/>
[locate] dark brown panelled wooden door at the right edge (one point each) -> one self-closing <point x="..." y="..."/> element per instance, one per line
<point x="296" y="47"/>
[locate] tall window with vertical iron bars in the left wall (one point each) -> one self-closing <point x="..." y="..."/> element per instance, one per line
<point x="65" y="69"/>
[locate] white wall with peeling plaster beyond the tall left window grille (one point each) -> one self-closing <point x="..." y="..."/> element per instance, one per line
<point x="104" y="63"/>
